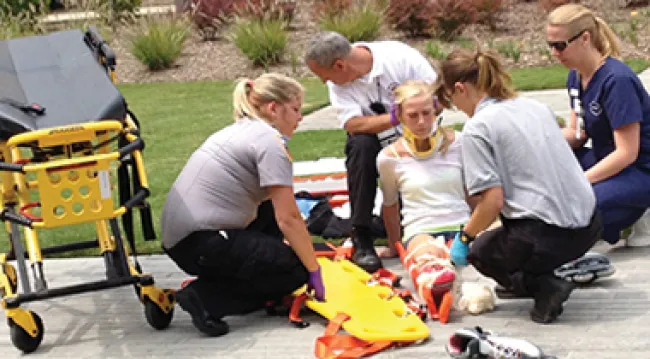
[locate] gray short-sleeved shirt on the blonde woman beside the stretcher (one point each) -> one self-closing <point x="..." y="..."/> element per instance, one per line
<point x="224" y="181"/>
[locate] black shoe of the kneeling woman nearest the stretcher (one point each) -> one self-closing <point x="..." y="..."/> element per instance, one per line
<point x="202" y="320"/>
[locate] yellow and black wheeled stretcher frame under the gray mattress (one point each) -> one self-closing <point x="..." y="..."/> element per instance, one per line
<point x="61" y="176"/>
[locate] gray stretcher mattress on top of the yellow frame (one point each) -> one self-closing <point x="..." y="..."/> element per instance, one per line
<point x="59" y="73"/>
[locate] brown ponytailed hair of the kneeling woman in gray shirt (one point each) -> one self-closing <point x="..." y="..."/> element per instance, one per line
<point x="483" y="69"/>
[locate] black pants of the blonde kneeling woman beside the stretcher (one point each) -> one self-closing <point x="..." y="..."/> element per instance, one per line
<point x="238" y="273"/>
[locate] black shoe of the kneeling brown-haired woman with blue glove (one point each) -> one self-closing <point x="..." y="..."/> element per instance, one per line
<point x="550" y="298"/>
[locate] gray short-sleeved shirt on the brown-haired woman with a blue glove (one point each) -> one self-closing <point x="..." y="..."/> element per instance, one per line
<point x="518" y="145"/>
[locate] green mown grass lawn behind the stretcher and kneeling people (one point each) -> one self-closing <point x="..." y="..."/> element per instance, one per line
<point x="177" y="117"/>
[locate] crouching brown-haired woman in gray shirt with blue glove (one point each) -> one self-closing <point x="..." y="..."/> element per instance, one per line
<point x="517" y="162"/>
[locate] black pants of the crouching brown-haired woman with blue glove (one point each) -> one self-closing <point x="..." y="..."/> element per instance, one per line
<point x="522" y="250"/>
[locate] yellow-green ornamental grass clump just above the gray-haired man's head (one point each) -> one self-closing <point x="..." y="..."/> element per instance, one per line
<point x="361" y="22"/>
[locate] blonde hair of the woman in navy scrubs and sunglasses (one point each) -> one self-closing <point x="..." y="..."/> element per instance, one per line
<point x="577" y="19"/>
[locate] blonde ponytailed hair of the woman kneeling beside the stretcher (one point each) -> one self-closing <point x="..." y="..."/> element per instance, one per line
<point x="250" y="96"/>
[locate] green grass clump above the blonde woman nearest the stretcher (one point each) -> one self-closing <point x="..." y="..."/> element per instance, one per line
<point x="262" y="42"/>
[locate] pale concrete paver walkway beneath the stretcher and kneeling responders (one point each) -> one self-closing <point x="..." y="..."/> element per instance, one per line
<point x="609" y="319"/>
